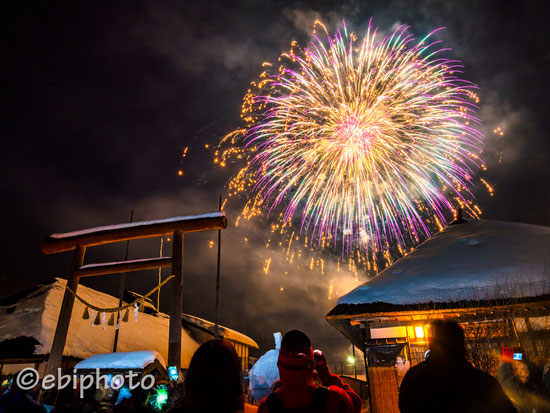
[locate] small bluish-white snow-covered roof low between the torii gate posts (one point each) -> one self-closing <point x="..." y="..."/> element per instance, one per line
<point x="121" y="360"/>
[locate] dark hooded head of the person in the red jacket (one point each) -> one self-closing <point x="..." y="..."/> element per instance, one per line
<point x="296" y="362"/>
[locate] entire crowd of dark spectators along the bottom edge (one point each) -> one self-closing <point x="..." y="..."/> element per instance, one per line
<point x="444" y="382"/>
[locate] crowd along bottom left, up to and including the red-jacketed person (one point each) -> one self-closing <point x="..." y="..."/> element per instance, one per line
<point x="213" y="383"/>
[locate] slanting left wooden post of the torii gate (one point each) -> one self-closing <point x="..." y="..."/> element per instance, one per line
<point x="60" y="337"/>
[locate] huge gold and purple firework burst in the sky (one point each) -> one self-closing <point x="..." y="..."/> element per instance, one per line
<point x="357" y="145"/>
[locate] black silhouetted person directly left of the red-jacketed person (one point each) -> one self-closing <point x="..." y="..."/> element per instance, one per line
<point x="213" y="381"/>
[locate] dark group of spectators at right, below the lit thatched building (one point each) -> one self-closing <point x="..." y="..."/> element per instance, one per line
<point x="447" y="382"/>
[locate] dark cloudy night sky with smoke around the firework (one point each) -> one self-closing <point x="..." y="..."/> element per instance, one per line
<point x="100" y="101"/>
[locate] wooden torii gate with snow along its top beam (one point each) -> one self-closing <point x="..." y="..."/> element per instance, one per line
<point x="80" y="240"/>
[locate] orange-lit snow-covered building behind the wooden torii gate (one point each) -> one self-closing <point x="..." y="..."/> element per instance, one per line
<point x="28" y="321"/>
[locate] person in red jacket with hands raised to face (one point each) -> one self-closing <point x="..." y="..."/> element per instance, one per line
<point x="297" y="390"/>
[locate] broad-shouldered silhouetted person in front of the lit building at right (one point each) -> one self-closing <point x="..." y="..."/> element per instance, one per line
<point x="446" y="382"/>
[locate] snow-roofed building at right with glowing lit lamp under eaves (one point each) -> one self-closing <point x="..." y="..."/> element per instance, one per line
<point x="491" y="276"/>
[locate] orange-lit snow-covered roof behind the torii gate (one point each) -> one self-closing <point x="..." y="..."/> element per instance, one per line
<point x="36" y="316"/>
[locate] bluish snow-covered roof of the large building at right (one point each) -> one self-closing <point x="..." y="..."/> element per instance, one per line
<point x="478" y="260"/>
